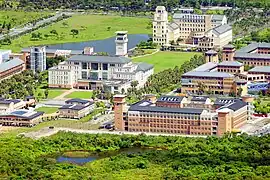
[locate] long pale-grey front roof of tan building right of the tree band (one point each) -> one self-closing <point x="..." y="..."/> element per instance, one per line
<point x="208" y="74"/>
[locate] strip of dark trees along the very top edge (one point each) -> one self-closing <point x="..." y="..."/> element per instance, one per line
<point x="126" y="5"/>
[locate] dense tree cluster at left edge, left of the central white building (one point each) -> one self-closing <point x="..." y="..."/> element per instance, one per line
<point x="23" y="84"/>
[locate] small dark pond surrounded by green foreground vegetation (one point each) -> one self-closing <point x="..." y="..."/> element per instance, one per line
<point x="85" y="159"/>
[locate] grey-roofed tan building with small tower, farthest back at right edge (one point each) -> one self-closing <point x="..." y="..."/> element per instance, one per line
<point x="255" y="54"/>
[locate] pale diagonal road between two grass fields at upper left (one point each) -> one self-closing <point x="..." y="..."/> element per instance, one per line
<point x="17" y="30"/>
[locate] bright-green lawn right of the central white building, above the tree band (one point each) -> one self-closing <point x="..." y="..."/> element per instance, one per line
<point x="165" y="60"/>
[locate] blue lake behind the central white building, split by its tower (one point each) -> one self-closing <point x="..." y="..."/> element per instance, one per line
<point x="105" y="45"/>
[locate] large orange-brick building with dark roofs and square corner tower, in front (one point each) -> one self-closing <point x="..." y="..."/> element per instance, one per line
<point x="168" y="115"/>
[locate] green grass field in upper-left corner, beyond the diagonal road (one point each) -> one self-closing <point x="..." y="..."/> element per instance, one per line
<point x="20" y="17"/>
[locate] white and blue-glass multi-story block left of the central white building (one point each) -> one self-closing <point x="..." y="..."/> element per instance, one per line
<point x="38" y="58"/>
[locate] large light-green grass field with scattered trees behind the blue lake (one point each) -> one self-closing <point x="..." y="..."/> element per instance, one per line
<point x="90" y="27"/>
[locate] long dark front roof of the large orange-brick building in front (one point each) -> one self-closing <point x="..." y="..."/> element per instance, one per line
<point x="147" y="106"/>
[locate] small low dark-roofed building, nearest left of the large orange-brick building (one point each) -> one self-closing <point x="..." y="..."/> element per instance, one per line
<point x="76" y="108"/>
